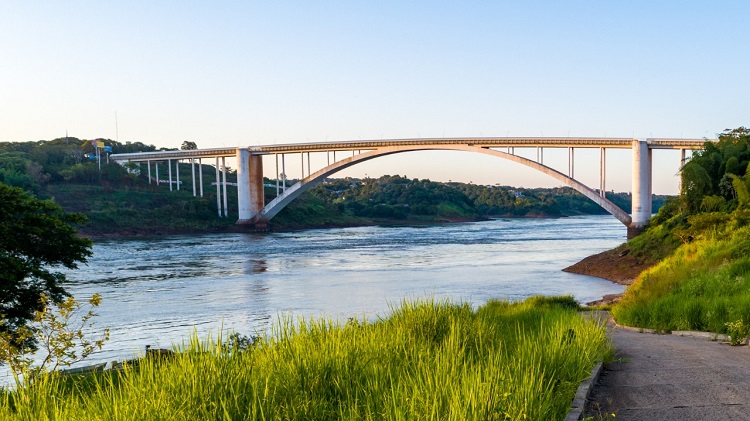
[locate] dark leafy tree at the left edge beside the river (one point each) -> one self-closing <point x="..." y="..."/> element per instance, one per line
<point x="36" y="237"/>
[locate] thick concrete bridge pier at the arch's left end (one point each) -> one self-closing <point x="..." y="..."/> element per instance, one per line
<point x="250" y="199"/>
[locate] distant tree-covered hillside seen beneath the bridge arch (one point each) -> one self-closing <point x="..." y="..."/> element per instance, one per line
<point x="400" y="198"/>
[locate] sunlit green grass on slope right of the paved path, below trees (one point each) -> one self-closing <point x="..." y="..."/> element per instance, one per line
<point x="703" y="285"/>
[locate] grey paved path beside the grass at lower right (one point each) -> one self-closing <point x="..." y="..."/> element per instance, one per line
<point x="669" y="377"/>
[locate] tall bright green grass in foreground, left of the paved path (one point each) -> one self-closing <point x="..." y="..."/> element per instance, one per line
<point x="428" y="360"/>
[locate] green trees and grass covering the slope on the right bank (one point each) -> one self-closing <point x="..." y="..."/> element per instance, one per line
<point x="701" y="280"/>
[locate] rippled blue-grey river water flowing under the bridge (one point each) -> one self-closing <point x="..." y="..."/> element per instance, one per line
<point x="157" y="291"/>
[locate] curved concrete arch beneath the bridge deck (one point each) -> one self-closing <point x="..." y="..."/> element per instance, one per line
<point x="280" y="202"/>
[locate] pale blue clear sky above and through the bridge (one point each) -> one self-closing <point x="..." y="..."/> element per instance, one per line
<point x="247" y="73"/>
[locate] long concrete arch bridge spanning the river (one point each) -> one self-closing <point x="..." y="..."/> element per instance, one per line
<point x="255" y="212"/>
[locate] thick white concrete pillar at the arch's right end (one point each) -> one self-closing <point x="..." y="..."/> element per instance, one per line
<point x="641" y="198"/>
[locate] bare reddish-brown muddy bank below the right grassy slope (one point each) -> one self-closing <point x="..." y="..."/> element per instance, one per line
<point x="616" y="265"/>
